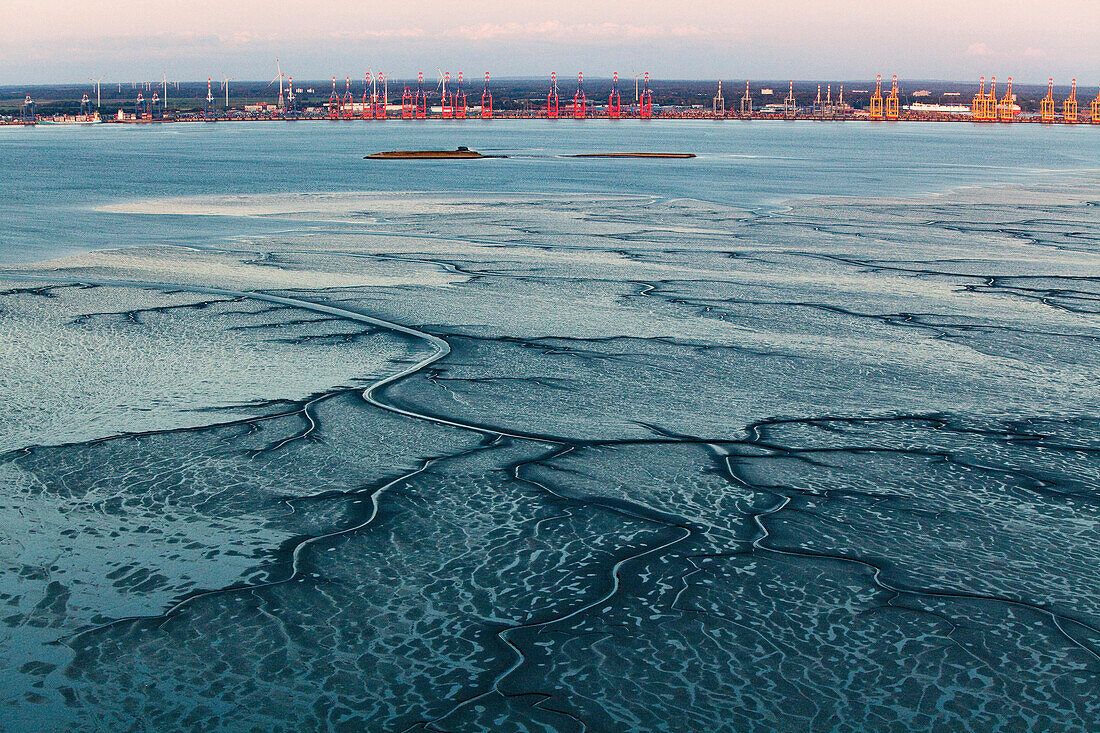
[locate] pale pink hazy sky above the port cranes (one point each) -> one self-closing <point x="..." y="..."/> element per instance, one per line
<point x="72" y="41"/>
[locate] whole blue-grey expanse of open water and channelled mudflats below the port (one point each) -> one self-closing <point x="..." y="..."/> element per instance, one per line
<point x="798" y="435"/>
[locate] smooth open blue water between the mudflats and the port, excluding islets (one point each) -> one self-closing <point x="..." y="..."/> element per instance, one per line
<point x="56" y="174"/>
